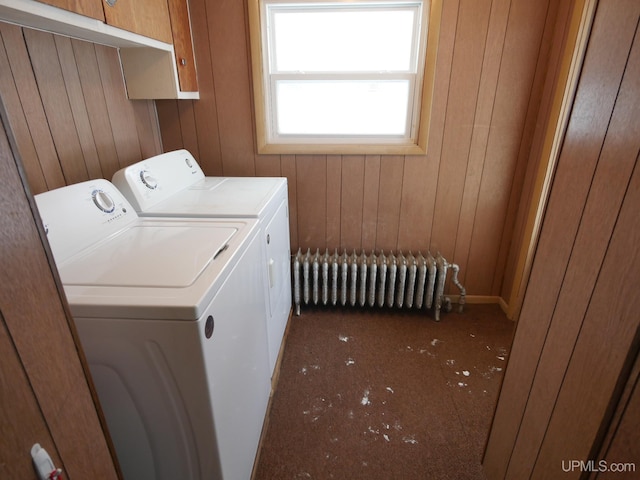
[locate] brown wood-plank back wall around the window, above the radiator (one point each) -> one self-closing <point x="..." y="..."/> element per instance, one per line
<point x="461" y="199"/>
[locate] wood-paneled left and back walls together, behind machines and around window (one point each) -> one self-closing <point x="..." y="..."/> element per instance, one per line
<point x="68" y="107"/>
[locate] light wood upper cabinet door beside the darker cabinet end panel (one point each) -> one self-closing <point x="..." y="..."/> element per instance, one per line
<point x="145" y="17"/>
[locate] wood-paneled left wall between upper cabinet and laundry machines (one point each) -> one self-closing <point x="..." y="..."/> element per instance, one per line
<point x="68" y="108"/>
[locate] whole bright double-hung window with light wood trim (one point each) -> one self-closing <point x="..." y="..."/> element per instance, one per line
<point x="343" y="76"/>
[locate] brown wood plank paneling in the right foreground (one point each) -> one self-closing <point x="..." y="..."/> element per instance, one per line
<point x="578" y="334"/>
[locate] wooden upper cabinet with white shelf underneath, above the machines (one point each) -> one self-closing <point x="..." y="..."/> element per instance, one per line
<point x="153" y="38"/>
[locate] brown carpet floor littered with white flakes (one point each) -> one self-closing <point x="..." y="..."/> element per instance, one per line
<point x="380" y="395"/>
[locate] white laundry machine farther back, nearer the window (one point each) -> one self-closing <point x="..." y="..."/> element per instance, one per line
<point x="173" y="184"/>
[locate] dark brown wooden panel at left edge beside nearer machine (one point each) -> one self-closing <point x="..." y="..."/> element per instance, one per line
<point x="46" y="395"/>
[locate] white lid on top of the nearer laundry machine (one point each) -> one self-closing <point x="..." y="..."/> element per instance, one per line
<point x="167" y="256"/>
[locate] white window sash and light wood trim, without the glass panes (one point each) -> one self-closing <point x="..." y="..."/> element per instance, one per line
<point x="421" y="82"/>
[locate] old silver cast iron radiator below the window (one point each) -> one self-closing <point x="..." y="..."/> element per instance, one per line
<point x="375" y="280"/>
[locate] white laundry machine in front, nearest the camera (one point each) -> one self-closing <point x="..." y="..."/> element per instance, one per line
<point x="170" y="315"/>
